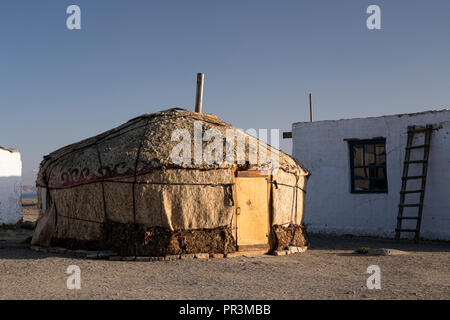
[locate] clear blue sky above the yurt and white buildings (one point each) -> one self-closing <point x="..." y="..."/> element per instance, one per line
<point x="261" y="59"/>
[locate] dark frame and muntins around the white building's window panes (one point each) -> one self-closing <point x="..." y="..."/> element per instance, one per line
<point x="370" y="167"/>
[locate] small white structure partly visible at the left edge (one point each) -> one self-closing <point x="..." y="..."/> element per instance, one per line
<point x="10" y="186"/>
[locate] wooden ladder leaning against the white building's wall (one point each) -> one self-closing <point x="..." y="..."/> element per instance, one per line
<point x="412" y="130"/>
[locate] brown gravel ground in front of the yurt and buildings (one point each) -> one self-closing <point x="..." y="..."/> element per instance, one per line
<point x="328" y="270"/>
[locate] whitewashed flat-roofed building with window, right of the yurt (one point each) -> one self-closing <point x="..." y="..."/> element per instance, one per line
<point x="356" y="172"/>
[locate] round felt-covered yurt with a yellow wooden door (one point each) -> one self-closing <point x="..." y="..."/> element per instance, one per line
<point x="166" y="183"/>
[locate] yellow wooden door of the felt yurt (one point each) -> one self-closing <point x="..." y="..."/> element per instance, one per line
<point x="252" y="213"/>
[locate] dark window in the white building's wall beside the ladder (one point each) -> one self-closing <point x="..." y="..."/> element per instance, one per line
<point x="368" y="166"/>
